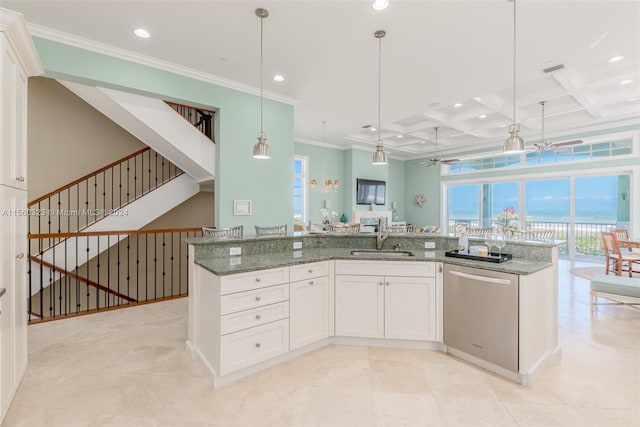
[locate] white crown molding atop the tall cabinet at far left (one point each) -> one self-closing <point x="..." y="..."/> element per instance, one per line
<point x="14" y="26"/>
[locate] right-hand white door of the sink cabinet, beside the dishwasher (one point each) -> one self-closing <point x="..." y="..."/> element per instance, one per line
<point x="410" y="308"/>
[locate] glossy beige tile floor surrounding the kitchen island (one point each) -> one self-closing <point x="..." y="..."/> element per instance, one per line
<point x="129" y="368"/>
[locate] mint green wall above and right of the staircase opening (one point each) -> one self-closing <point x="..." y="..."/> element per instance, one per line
<point x="267" y="183"/>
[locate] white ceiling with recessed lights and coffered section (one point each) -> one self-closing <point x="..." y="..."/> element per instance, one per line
<point x="436" y="55"/>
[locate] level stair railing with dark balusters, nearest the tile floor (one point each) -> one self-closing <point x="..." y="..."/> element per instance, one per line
<point x="130" y="267"/>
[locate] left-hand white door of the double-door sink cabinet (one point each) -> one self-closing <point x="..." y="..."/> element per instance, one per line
<point x="360" y="306"/>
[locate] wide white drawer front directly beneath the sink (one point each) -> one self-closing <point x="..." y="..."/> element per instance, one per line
<point x="387" y="268"/>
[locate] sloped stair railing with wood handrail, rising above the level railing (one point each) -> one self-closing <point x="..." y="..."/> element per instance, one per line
<point x="79" y="204"/>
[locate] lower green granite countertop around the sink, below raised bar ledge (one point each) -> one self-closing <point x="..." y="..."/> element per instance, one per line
<point x="242" y="264"/>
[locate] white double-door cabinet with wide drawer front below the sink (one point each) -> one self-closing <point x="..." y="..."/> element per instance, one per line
<point x="386" y="306"/>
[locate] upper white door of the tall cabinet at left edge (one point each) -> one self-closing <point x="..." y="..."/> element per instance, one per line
<point x="13" y="118"/>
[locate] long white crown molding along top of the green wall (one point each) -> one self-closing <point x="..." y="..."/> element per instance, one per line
<point x="127" y="55"/>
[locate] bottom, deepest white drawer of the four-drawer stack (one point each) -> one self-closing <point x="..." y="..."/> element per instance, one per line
<point x="254" y="345"/>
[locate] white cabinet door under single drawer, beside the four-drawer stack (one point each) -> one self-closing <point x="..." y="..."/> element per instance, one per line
<point x="308" y="311"/>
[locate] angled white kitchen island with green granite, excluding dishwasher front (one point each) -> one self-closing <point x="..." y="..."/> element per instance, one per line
<point x="281" y="297"/>
